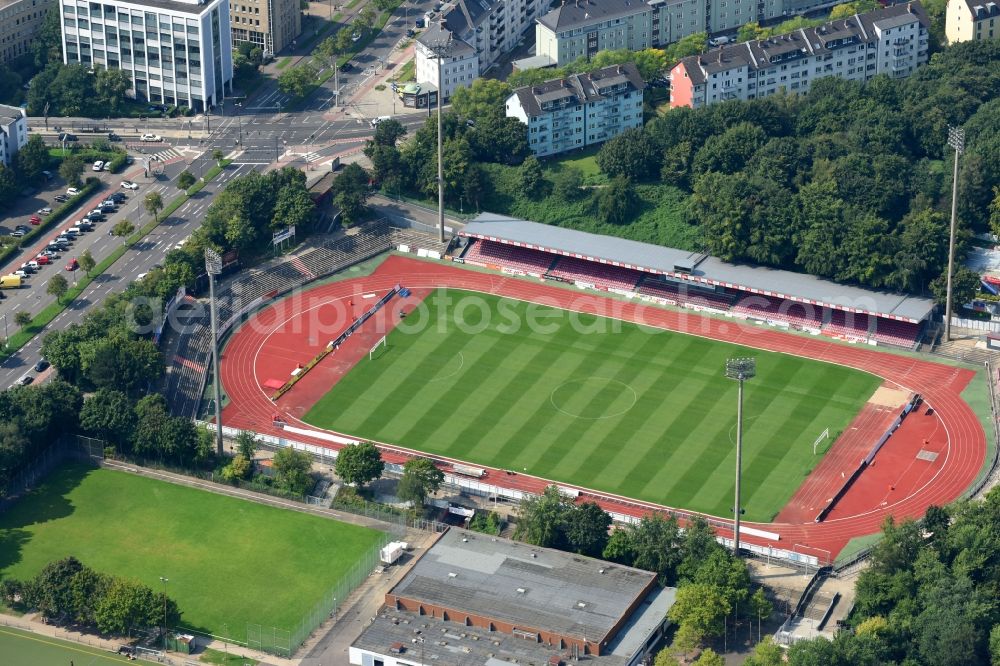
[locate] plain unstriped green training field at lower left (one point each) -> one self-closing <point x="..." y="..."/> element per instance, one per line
<point x="228" y="561"/>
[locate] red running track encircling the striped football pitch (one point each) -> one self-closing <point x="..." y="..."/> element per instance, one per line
<point x="293" y="330"/>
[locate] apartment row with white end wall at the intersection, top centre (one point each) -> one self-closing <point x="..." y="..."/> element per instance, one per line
<point x="481" y="31"/>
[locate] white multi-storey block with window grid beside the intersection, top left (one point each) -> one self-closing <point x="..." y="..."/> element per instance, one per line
<point x="175" y="51"/>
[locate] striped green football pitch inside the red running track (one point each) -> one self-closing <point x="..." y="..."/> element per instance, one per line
<point x="615" y="407"/>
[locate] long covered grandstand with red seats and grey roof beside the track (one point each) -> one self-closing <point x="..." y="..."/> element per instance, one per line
<point x="698" y="281"/>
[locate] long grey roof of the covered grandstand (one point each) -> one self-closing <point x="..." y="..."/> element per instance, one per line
<point x="697" y="267"/>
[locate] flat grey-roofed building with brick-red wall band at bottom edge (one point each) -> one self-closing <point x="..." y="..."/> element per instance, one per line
<point x="474" y="599"/>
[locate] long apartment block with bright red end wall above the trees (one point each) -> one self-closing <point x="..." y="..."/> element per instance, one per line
<point x="891" y="41"/>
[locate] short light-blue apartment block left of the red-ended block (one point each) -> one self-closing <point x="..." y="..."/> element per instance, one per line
<point x="579" y="110"/>
